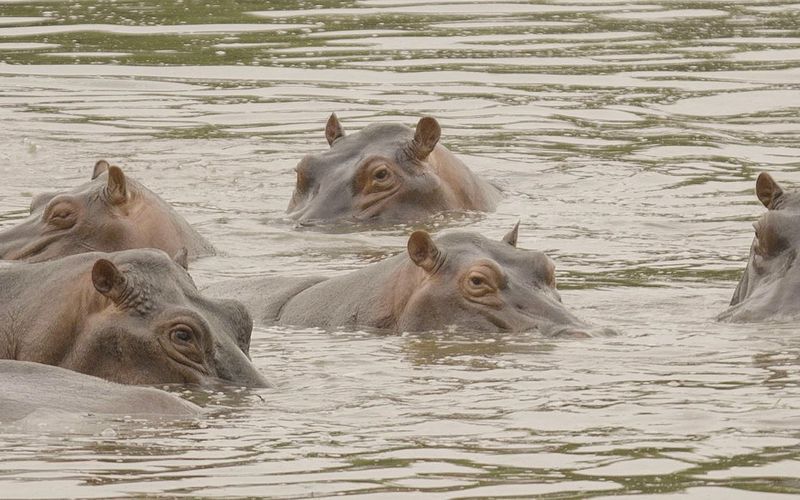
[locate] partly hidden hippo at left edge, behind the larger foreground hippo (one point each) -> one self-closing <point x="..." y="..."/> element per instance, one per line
<point x="109" y="213"/>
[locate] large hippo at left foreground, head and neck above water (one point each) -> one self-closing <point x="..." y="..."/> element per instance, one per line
<point x="133" y="317"/>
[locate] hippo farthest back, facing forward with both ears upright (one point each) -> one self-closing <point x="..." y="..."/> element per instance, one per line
<point x="388" y="173"/>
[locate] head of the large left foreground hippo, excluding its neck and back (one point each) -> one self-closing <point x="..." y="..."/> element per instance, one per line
<point x="143" y="321"/>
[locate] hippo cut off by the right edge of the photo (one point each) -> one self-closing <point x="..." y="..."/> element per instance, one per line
<point x="770" y="285"/>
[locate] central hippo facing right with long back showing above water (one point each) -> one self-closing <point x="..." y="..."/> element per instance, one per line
<point x="460" y="280"/>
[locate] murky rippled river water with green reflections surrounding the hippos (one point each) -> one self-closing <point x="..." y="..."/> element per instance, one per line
<point x="628" y="136"/>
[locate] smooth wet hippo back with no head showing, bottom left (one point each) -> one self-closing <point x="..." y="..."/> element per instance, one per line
<point x="26" y="388"/>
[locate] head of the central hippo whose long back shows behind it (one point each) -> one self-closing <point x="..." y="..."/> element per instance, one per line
<point x="471" y="282"/>
